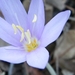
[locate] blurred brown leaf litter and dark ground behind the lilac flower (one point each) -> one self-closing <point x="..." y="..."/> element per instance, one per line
<point x="62" y="51"/>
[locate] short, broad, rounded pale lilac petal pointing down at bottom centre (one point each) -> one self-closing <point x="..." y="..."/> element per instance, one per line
<point x="38" y="58"/>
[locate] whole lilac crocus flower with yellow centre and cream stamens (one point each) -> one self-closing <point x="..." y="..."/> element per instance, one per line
<point x="27" y="34"/>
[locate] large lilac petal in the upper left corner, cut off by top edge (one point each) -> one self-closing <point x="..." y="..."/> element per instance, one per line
<point x="14" y="12"/>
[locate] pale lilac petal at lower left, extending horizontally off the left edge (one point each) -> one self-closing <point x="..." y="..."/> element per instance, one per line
<point x="12" y="54"/>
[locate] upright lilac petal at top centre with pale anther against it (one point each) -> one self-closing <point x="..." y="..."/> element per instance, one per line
<point x="36" y="10"/>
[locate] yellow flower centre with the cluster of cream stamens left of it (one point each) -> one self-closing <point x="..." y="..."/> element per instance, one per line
<point x="29" y="43"/>
